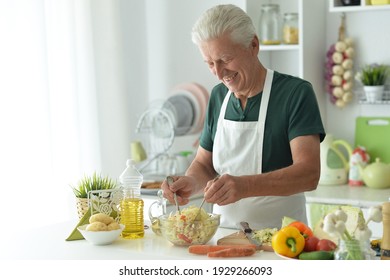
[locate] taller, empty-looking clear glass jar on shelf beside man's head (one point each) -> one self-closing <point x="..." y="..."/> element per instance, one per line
<point x="270" y="25"/>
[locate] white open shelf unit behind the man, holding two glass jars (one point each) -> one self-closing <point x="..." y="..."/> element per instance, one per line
<point x="297" y="59"/>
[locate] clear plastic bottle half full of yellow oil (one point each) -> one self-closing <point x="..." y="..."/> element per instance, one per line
<point x="132" y="206"/>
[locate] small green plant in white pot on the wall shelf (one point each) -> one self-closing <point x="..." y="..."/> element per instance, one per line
<point x="373" y="77"/>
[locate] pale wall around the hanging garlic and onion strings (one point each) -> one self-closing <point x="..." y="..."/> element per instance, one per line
<point x="372" y="38"/>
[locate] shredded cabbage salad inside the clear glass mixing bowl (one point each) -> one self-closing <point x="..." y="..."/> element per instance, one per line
<point x="182" y="230"/>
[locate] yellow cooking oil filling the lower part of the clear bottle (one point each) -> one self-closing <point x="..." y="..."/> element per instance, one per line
<point x="132" y="217"/>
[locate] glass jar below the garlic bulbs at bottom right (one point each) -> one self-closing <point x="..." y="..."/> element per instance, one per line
<point x="354" y="250"/>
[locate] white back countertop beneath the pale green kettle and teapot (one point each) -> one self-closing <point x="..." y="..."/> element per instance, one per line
<point x="363" y="196"/>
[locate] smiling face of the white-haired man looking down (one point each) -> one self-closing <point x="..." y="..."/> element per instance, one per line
<point x="235" y="65"/>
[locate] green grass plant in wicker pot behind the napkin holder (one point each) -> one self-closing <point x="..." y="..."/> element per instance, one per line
<point x="90" y="183"/>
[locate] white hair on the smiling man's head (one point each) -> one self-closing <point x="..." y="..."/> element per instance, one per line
<point x="224" y="19"/>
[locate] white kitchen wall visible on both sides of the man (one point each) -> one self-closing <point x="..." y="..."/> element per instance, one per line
<point x="158" y="54"/>
